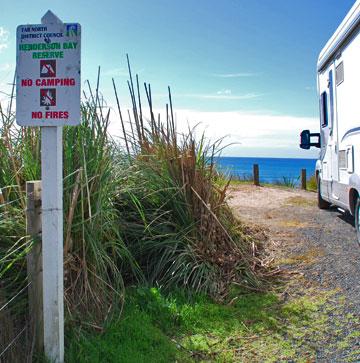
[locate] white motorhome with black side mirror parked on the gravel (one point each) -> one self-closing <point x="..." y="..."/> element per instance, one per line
<point x="338" y="79"/>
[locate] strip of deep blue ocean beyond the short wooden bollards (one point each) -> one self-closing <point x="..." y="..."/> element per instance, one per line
<point x="270" y="169"/>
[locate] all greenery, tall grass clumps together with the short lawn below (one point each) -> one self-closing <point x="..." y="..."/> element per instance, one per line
<point x="156" y="267"/>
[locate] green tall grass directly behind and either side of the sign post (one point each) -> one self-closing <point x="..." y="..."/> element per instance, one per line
<point x="93" y="247"/>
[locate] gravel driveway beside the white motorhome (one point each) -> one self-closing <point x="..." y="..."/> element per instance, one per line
<point x="324" y="242"/>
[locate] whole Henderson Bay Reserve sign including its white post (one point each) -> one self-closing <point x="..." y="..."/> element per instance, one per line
<point x="48" y="95"/>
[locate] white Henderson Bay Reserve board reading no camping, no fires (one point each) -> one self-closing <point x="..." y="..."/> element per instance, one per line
<point x="48" y="74"/>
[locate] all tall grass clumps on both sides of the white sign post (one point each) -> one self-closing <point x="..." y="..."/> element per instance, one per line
<point x="147" y="210"/>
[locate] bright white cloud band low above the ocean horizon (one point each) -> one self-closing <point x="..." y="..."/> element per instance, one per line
<point x="251" y="134"/>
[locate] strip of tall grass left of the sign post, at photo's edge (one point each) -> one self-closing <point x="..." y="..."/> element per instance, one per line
<point x="13" y="243"/>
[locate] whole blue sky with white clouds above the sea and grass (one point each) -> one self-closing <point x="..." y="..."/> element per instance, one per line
<point x="240" y="69"/>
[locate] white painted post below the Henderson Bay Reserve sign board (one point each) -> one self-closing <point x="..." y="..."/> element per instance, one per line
<point x="52" y="241"/>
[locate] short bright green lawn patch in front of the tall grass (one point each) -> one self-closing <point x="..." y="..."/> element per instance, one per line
<point x="248" y="327"/>
